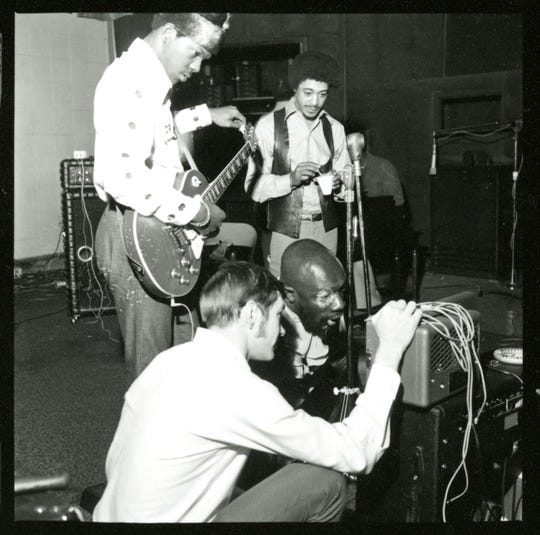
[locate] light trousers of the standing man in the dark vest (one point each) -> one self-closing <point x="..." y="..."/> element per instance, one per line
<point x="313" y="230"/>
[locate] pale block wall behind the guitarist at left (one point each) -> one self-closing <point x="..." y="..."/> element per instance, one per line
<point x="59" y="58"/>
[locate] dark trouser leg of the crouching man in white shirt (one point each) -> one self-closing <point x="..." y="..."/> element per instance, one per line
<point x="297" y="492"/>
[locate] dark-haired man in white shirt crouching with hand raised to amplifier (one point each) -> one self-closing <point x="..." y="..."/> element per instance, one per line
<point x="191" y="418"/>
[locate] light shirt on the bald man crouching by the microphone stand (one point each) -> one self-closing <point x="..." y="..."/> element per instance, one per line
<point x="309" y="349"/>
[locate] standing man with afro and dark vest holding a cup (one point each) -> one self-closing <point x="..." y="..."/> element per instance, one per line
<point x="297" y="143"/>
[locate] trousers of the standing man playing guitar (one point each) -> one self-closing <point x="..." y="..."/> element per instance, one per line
<point x="145" y="323"/>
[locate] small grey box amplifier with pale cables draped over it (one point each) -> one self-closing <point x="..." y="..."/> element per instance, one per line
<point x="429" y="371"/>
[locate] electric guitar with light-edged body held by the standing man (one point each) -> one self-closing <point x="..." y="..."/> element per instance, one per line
<point x="166" y="258"/>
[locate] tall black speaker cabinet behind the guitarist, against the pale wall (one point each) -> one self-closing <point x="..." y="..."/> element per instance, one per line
<point x="87" y="290"/>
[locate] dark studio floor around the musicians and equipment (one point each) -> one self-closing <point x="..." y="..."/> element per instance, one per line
<point x="69" y="378"/>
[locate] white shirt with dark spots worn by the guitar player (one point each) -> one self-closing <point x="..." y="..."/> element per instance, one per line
<point x="136" y="151"/>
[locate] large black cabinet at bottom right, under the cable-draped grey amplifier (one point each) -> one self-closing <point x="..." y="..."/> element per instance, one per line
<point x="410" y="481"/>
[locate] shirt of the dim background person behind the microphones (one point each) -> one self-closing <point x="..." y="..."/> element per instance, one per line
<point x="380" y="178"/>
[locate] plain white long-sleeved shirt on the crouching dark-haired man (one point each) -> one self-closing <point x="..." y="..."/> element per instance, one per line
<point x="190" y="419"/>
